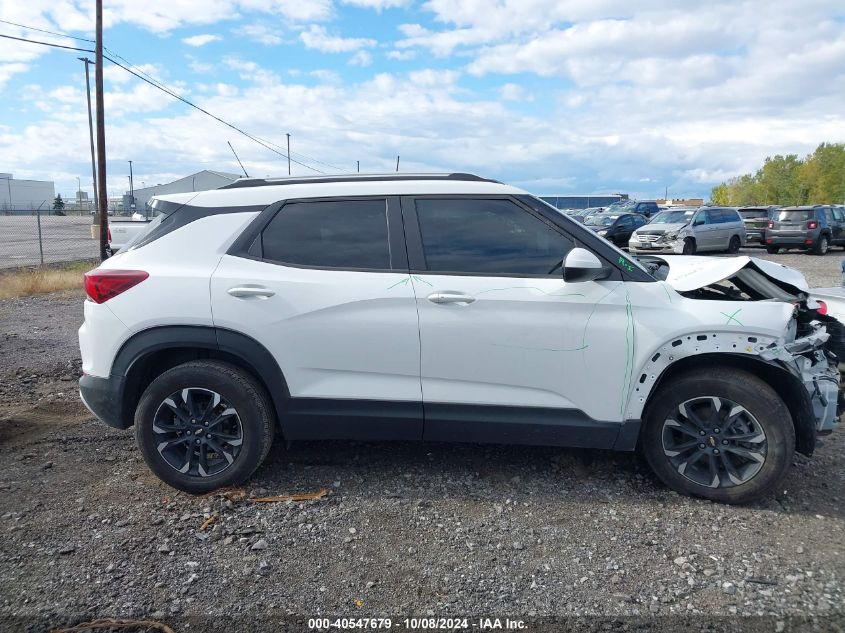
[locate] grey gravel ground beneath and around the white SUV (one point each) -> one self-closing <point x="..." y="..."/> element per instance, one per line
<point x="405" y="529"/>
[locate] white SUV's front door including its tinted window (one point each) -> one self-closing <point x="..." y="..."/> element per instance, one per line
<point x="509" y="351"/>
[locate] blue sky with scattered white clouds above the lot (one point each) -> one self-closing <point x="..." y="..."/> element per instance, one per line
<point x="555" y="96"/>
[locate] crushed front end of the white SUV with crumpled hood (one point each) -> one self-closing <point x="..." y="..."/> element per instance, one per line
<point x="812" y="345"/>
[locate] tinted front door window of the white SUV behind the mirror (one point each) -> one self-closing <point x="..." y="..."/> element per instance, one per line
<point x="495" y="237"/>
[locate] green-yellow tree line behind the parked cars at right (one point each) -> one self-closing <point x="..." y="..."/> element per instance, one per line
<point x="819" y="178"/>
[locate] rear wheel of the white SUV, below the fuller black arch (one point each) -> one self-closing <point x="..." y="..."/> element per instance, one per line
<point x="222" y="411"/>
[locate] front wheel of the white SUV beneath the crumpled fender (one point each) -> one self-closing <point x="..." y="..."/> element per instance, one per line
<point x="764" y="414"/>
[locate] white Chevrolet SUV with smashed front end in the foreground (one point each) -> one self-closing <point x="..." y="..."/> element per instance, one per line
<point x="437" y="307"/>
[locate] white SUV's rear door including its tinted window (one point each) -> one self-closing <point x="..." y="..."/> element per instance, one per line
<point x="324" y="286"/>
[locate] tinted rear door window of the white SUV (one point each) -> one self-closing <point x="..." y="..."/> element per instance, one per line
<point x="329" y="234"/>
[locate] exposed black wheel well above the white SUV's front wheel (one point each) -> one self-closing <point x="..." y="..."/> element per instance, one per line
<point x="785" y="384"/>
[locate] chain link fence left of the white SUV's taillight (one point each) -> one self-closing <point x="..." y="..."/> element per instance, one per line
<point x="32" y="238"/>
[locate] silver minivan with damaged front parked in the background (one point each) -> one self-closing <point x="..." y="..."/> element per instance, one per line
<point x="689" y="231"/>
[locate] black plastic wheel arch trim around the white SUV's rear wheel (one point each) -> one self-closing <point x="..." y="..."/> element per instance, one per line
<point x="151" y="352"/>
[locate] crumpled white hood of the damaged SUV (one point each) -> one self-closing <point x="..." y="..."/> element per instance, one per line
<point x="688" y="272"/>
